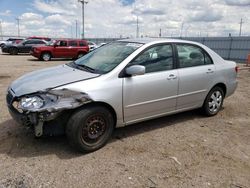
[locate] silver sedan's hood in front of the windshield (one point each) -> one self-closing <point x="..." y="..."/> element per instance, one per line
<point x="48" y="78"/>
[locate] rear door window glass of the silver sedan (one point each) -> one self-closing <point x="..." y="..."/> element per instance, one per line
<point x="190" y="56"/>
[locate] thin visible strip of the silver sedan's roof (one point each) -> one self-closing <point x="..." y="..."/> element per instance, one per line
<point x="156" y="40"/>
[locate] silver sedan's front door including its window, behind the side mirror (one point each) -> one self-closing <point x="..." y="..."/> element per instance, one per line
<point x="154" y="93"/>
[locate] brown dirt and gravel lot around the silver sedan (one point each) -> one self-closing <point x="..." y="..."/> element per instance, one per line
<point x="184" y="150"/>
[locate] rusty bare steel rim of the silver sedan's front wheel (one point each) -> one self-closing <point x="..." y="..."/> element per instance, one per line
<point x="93" y="129"/>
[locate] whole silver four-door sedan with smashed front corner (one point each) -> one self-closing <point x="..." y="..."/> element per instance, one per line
<point x="119" y="84"/>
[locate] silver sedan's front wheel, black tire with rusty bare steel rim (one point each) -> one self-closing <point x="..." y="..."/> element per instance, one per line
<point x="89" y="128"/>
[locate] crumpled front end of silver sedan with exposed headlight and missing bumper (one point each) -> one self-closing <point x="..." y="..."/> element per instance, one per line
<point x="44" y="106"/>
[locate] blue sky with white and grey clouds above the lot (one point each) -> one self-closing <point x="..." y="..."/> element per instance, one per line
<point x="115" y="18"/>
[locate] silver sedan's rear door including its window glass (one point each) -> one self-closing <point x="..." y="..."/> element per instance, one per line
<point x="196" y="72"/>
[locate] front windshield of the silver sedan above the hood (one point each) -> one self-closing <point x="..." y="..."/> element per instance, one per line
<point x="106" y="58"/>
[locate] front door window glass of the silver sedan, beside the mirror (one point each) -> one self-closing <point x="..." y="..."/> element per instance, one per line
<point x="158" y="58"/>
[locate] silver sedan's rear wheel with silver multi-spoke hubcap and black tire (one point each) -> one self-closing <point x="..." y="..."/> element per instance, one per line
<point x="213" y="102"/>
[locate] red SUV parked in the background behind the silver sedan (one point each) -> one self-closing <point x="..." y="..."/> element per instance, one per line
<point x="64" y="48"/>
